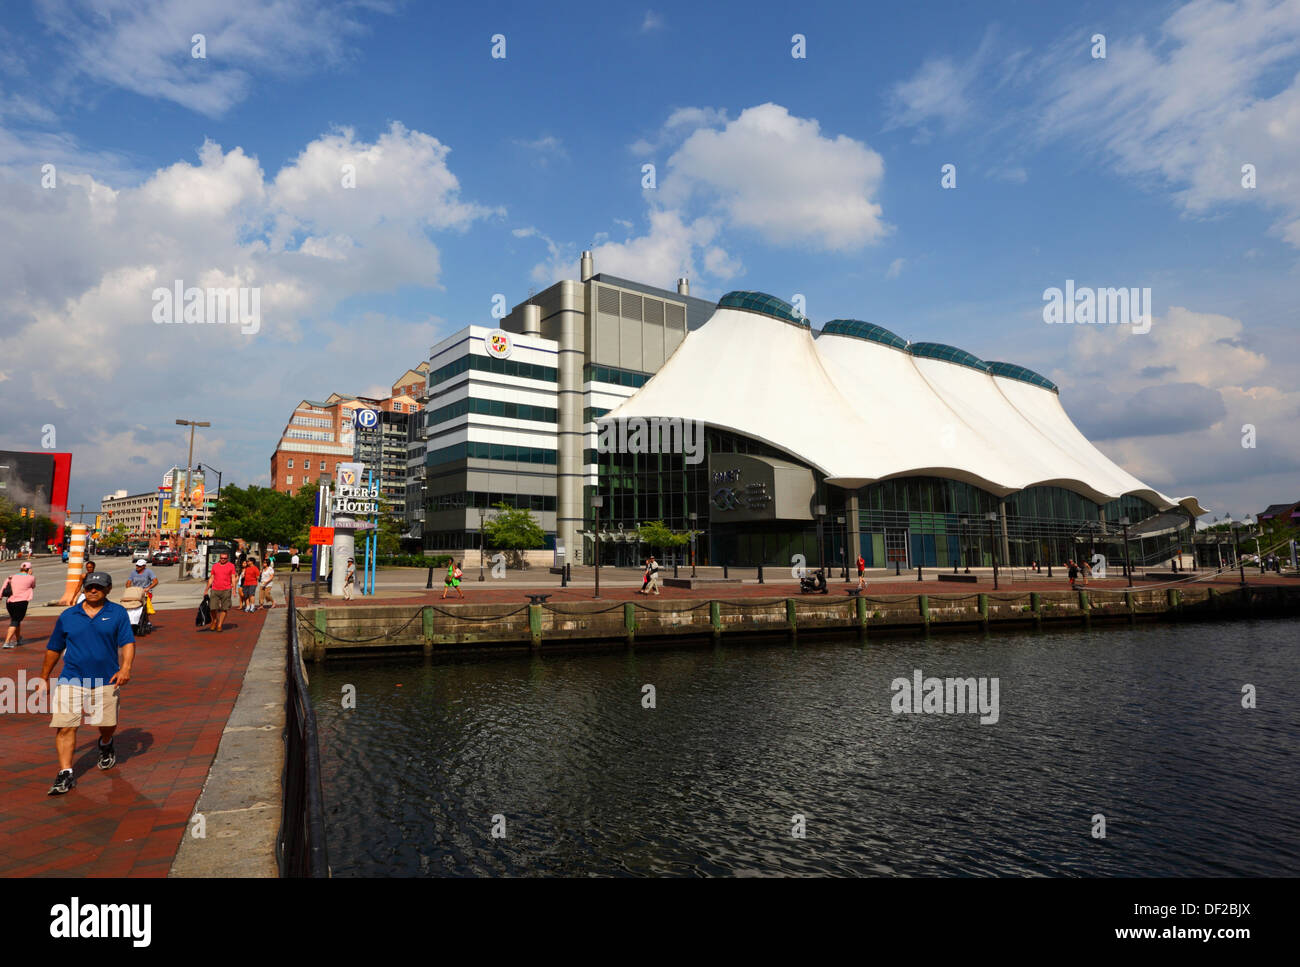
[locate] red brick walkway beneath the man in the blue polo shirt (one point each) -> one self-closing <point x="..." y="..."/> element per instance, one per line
<point x="129" y="821"/>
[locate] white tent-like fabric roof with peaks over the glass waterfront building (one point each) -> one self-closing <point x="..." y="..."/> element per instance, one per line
<point x="863" y="410"/>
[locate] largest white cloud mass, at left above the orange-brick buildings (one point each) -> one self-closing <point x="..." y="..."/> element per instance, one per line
<point x="79" y="267"/>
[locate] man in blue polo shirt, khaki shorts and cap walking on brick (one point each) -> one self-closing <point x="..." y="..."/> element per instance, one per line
<point x="98" y="649"/>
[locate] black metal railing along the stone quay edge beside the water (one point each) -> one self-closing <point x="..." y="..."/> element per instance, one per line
<point x="301" y="844"/>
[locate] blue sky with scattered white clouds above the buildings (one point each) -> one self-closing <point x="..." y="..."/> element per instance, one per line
<point x="800" y="153"/>
